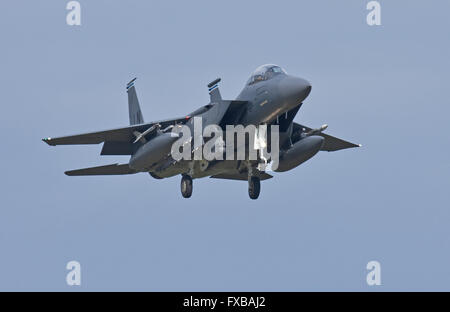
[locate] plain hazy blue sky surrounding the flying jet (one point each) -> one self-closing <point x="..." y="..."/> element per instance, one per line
<point x="313" y="228"/>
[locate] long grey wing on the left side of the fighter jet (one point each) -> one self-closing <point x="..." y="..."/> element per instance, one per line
<point x="124" y="135"/>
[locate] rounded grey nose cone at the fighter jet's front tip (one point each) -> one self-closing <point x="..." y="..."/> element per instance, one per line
<point x="294" y="90"/>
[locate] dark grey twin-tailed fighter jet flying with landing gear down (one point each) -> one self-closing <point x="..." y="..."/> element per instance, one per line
<point x="270" y="97"/>
